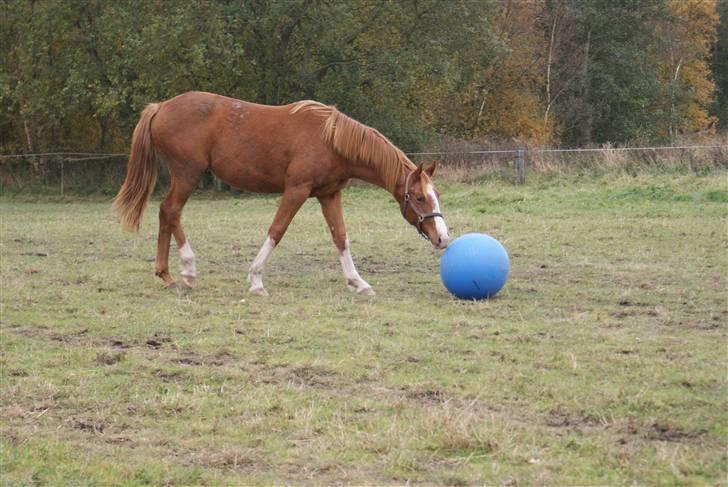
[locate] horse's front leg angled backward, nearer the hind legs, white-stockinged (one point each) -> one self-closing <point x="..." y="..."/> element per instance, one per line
<point x="293" y="199"/>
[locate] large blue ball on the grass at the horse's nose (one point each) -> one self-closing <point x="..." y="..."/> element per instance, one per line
<point x="474" y="266"/>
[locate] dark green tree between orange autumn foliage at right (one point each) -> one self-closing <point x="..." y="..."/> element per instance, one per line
<point x="618" y="77"/>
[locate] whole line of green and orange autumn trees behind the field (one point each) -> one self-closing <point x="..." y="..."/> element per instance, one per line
<point x="74" y="75"/>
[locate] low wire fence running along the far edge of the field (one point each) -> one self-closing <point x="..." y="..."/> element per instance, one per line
<point x="86" y="172"/>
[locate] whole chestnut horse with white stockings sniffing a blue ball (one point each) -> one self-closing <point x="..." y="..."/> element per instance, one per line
<point x="306" y="149"/>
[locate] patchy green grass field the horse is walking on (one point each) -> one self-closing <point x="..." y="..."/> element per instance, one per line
<point x="603" y="361"/>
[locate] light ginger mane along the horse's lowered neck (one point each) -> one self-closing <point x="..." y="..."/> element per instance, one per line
<point x="359" y="143"/>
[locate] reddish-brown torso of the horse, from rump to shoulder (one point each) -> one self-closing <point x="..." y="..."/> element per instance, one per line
<point x="248" y="145"/>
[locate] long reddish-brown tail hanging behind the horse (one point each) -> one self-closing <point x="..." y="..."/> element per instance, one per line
<point x="141" y="173"/>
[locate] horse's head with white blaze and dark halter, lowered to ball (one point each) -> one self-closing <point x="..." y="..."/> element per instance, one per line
<point x="420" y="206"/>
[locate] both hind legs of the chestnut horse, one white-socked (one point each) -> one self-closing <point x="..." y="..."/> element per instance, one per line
<point x="170" y="212"/>
